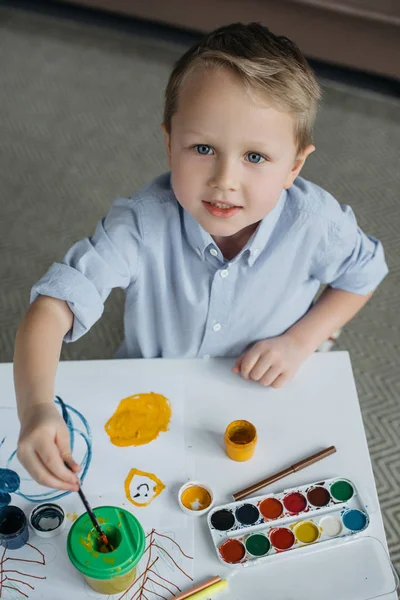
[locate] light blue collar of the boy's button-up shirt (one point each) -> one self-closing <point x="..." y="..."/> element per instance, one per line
<point x="201" y="241"/>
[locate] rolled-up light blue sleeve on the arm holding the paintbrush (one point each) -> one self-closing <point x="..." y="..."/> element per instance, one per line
<point x="93" y="267"/>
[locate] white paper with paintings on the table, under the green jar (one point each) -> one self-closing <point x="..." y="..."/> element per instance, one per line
<point x="96" y="397"/>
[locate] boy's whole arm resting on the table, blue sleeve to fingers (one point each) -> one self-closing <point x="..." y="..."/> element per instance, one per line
<point x="346" y="259"/>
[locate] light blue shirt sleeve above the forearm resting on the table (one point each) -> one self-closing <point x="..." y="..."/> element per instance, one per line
<point x="351" y="260"/>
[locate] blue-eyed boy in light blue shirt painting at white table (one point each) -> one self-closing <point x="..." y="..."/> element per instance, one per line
<point x="223" y="256"/>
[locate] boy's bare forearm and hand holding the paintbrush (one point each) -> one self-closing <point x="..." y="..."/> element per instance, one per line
<point x="44" y="439"/>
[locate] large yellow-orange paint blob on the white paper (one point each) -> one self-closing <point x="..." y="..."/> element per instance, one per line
<point x="139" y="419"/>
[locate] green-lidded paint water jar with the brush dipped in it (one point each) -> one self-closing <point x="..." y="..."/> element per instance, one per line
<point x="107" y="572"/>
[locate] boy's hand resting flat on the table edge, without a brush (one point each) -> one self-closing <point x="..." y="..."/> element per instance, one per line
<point x="273" y="361"/>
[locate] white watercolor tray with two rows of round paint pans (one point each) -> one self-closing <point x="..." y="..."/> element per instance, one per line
<point x="251" y="530"/>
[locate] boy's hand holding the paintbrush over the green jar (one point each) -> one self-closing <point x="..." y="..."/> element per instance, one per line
<point x="43" y="447"/>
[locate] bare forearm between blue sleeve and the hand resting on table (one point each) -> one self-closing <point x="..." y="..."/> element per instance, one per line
<point x="333" y="309"/>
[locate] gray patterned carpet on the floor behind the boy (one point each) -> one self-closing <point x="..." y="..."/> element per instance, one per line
<point x="80" y="108"/>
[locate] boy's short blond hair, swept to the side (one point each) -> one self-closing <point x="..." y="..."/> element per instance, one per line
<point x="264" y="62"/>
